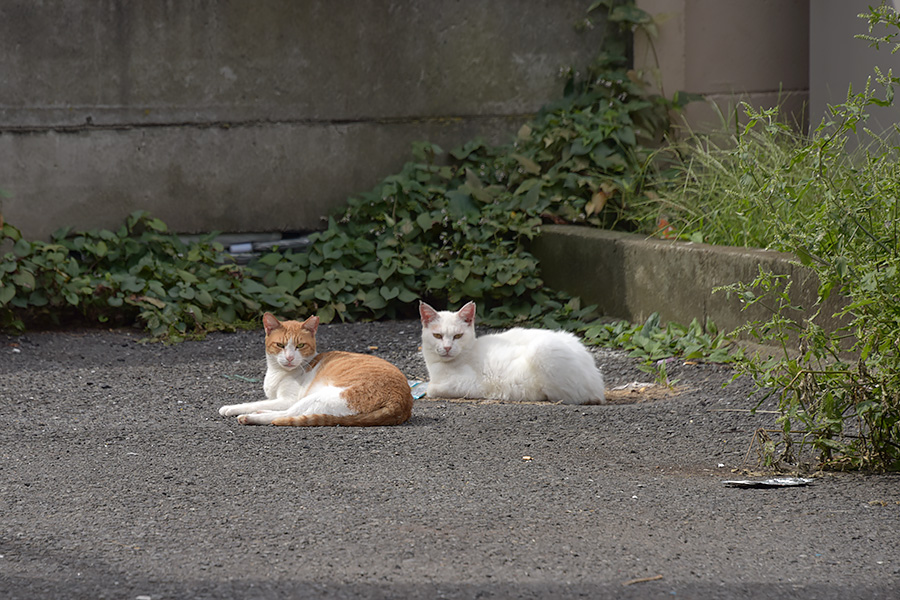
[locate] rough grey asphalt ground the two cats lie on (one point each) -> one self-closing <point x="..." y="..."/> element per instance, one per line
<point x="121" y="481"/>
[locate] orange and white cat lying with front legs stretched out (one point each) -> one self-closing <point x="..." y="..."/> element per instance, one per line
<point x="304" y="388"/>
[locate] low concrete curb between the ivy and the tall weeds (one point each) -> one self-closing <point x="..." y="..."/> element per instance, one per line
<point x="631" y="276"/>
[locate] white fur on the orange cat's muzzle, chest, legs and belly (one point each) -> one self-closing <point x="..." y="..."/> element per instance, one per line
<point x="290" y="391"/>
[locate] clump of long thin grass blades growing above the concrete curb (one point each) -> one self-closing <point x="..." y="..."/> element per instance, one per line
<point x="729" y="189"/>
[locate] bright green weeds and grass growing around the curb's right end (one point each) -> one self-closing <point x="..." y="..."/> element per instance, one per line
<point x="837" y="211"/>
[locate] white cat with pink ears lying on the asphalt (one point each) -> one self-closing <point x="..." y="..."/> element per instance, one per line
<point x="519" y="365"/>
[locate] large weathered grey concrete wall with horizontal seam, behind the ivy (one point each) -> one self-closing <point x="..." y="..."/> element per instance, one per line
<point x="252" y="116"/>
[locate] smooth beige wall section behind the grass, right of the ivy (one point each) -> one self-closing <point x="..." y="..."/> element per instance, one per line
<point x="729" y="51"/>
